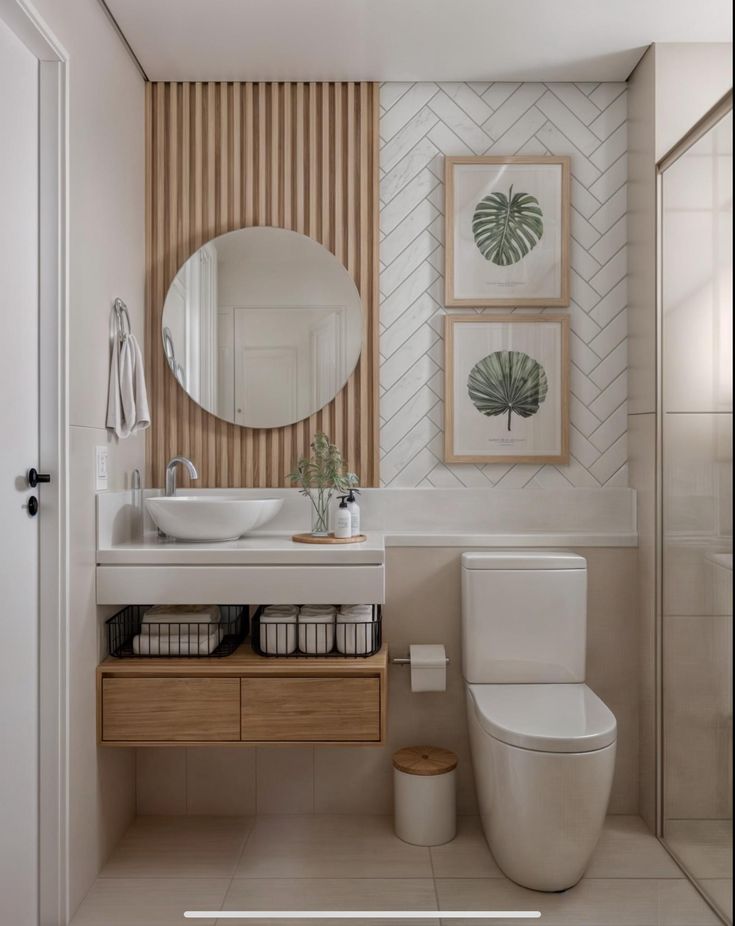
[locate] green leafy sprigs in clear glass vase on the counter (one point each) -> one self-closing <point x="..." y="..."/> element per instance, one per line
<point x="319" y="477"/>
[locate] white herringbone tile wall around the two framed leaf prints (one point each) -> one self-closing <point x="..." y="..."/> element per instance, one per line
<point x="421" y="123"/>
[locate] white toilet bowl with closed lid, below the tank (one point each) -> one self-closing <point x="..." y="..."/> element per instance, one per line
<point x="543" y="757"/>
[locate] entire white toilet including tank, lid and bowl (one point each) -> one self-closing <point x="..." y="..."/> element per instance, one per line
<point x="542" y="743"/>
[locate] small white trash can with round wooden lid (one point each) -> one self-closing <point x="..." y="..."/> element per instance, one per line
<point x="424" y="791"/>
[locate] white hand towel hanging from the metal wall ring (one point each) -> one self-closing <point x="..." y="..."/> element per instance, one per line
<point x="127" y="398"/>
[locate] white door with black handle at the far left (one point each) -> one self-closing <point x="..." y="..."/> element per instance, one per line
<point x="19" y="428"/>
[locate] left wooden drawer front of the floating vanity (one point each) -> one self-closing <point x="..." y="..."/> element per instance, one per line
<point x="166" y="710"/>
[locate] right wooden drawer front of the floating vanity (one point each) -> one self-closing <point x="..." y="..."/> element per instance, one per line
<point x="310" y="709"/>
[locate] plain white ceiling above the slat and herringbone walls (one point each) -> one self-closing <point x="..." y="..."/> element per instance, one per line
<point x="580" y="40"/>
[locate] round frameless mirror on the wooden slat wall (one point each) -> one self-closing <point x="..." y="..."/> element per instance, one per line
<point x="262" y="327"/>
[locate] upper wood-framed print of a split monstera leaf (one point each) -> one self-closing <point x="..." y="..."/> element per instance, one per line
<point x="507" y="231"/>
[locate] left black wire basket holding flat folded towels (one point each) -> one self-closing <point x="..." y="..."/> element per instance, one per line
<point x="128" y="636"/>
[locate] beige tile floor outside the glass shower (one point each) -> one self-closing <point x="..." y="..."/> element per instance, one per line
<point x="165" y="865"/>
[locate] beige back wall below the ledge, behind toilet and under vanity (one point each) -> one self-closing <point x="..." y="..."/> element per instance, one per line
<point x="422" y="606"/>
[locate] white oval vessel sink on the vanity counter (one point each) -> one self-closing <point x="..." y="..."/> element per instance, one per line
<point x="212" y="518"/>
